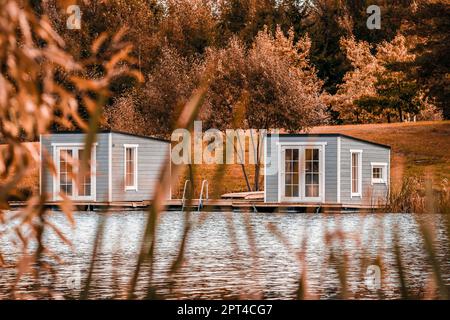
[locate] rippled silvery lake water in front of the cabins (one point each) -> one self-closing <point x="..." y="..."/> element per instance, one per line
<point x="240" y="255"/>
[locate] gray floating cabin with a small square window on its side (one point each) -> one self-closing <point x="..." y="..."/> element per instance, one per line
<point x="326" y="169"/>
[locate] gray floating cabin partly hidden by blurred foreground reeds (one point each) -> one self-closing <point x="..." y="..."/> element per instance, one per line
<point x="123" y="167"/>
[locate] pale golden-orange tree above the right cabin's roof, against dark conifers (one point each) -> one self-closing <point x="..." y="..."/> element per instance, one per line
<point x="377" y="88"/>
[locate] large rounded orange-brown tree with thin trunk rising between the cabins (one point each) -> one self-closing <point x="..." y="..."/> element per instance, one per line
<point x="270" y="85"/>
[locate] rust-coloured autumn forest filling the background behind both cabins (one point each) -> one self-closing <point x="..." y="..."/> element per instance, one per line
<point x="287" y="64"/>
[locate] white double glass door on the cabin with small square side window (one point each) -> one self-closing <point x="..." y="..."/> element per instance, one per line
<point x="301" y="173"/>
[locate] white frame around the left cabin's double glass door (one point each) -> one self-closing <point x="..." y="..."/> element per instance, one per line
<point x="57" y="147"/>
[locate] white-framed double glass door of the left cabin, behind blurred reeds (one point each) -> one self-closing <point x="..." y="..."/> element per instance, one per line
<point x="68" y="181"/>
